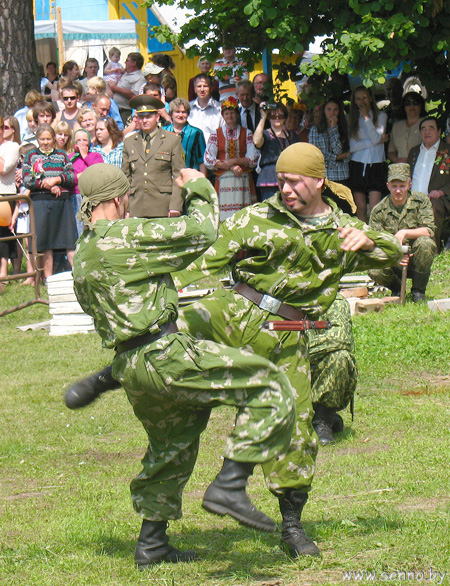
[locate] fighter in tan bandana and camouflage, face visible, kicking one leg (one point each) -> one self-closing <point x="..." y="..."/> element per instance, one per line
<point x="294" y="248"/>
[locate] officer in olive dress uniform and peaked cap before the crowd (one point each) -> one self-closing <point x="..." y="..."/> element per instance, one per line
<point x="152" y="159"/>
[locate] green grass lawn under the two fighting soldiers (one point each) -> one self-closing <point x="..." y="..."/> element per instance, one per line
<point x="380" y="500"/>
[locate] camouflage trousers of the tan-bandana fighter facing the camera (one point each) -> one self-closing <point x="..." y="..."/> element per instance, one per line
<point x="227" y="317"/>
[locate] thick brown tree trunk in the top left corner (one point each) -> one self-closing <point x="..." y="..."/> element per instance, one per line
<point x="19" y="71"/>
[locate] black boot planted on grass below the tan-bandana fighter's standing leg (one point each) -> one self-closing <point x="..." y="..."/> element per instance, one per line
<point x="294" y="540"/>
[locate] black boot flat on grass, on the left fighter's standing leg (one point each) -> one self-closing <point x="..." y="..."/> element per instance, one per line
<point x="153" y="547"/>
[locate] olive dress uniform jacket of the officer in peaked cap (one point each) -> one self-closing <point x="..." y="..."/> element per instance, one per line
<point x="152" y="173"/>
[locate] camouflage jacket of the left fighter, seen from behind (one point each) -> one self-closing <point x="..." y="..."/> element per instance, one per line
<point x="122" y="268"/>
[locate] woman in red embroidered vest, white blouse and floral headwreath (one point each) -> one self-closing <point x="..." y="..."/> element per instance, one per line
<point x="231" y="154"/>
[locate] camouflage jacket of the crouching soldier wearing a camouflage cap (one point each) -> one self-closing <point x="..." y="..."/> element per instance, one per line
<point x="416" y="213"/>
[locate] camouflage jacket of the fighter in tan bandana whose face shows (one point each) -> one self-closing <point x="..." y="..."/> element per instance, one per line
<point x="274" y="252"/>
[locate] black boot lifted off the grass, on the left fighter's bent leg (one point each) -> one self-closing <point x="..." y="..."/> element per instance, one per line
<point x="226" y="496"/>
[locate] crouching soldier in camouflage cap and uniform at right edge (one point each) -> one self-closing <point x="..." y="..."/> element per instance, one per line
<point x="409" y="216"/>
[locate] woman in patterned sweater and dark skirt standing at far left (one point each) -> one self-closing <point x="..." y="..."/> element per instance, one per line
<point x="49" y="175"/>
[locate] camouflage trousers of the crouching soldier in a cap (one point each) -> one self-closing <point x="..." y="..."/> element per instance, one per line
<point x="423" y="250"/>
